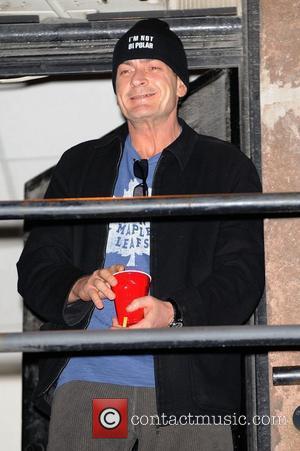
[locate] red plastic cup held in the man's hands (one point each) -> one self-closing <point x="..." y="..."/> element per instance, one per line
<point x="131" y="284"/>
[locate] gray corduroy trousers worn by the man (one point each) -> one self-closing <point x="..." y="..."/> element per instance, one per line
<point x="71" y="423"/>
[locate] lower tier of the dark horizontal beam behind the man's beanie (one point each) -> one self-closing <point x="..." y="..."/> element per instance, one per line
<point x="97" y="60"/>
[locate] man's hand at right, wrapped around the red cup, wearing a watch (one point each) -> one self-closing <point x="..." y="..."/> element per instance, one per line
<point x="157" y="313"/>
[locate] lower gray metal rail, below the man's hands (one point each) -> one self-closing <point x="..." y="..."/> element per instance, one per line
<point x="153" y="339"/>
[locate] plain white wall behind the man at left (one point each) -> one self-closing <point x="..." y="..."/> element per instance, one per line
<point x="38" y="122"/>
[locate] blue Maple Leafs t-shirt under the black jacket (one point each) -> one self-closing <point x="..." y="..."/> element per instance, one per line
<point x="128" y="244"/>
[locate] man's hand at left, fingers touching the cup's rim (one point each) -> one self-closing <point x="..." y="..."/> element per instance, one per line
<point x="96" y="286"/>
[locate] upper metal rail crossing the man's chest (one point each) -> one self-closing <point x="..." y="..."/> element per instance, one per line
<point x="188" y="205"/>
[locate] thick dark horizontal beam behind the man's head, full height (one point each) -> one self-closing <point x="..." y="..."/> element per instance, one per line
<point x="87" y="47"/>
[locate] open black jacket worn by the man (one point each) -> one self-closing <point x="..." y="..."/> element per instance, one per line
<point x="212" y="267"/>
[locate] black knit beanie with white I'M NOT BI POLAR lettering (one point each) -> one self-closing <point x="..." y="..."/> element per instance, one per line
<point x="151" y="39"/>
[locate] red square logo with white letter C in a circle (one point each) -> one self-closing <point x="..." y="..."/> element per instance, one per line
<point x="110" y="418"/>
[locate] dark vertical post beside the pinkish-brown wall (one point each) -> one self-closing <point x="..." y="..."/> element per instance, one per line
<point x="256" y="373"/>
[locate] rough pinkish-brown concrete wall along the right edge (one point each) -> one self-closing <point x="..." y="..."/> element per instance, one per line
<point x="280" y="110"/>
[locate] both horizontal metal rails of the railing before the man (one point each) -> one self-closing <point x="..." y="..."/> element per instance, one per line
<point x="264" y="205"/>
